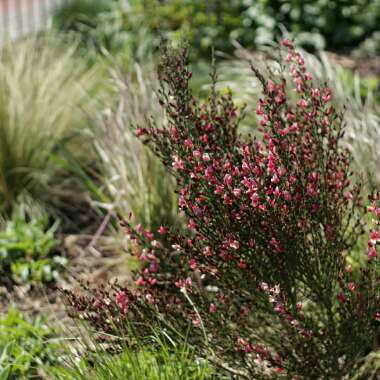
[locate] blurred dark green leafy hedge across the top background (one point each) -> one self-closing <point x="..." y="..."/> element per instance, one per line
<point x="316" y="24"/>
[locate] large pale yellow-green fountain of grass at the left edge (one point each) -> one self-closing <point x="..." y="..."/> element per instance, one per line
<point x="43" y="87"/>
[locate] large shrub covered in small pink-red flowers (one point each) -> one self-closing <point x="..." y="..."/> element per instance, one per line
<point x="261" y="277"/>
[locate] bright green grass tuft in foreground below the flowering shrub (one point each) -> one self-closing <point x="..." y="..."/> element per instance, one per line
<point x="88" y="353"/>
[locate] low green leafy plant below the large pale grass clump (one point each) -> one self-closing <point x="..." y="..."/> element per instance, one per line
<point x="27" y="247"/>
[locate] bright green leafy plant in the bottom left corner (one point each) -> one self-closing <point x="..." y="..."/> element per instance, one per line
<point x="25" y="347"/>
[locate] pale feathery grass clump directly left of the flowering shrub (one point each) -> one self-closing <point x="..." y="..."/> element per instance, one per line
<point x="134" y="180"/>
